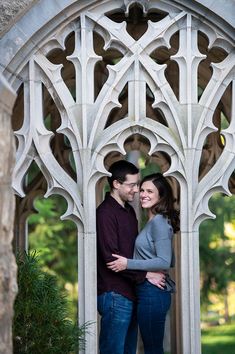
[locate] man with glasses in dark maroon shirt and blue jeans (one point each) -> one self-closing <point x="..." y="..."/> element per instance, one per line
<point x="117" y="228"/>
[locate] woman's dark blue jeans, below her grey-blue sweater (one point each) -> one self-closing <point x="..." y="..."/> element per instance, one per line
<point x="153" y="304"/>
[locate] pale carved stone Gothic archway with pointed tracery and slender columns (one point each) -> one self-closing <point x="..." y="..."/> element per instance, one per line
<point x="137" y="94"/>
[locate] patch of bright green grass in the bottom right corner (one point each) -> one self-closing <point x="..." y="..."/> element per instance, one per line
<point x="219" y="339"/>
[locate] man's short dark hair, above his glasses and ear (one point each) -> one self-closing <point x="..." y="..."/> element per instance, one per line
<point x="120" y="169"/>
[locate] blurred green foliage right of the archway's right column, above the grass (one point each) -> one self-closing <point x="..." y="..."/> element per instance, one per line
<point x="216" y="259"/>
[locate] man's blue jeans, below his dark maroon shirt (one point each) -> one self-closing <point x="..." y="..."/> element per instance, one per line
<point x="118" y="330"/>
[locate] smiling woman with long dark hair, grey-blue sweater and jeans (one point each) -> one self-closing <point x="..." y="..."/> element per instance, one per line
<point x="153" y="252"/>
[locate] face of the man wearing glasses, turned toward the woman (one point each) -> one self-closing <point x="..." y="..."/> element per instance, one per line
<point x="127" y="190"/>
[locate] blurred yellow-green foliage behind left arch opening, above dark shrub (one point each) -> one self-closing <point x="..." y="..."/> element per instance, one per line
<point x="56" y="242"/>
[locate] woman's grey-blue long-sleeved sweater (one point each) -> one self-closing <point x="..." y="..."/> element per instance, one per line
<point x="160" y="256"/>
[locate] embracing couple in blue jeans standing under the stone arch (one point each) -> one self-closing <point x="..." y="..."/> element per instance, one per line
<point x="134" y="288"/>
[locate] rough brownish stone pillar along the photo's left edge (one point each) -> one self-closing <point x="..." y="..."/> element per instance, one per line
<point x="8" y="285"/>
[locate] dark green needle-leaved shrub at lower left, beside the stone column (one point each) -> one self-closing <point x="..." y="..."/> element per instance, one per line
<point x="41" y="323"/>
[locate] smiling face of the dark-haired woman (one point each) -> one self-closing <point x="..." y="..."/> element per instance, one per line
<point x="149" y="195"/>
